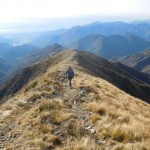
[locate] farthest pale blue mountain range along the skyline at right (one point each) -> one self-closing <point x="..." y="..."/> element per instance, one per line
<point x="64" y="37"/>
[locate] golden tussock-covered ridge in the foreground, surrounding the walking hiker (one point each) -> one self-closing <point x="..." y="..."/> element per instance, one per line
<point x="46" y="114"/>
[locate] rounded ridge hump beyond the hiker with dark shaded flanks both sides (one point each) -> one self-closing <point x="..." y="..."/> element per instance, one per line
<point x="127" y="79"/>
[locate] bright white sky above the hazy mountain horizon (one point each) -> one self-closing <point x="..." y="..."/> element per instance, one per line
<point x="70" y="12"/>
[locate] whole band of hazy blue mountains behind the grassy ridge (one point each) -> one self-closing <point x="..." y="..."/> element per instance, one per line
<point x="108" y="40"/>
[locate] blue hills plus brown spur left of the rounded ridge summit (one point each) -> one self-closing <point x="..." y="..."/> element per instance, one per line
<point x="13" y="59"/>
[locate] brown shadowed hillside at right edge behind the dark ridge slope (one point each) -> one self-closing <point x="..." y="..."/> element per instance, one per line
<point x="139" y="61"/>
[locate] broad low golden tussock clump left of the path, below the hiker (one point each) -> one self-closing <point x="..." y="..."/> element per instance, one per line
<point x="50" y="105"/>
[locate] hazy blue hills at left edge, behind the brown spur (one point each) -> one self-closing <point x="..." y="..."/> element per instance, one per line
<point x="10" y="55"/>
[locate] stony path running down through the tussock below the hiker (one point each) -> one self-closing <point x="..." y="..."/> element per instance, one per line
<point x="72" y="99"/>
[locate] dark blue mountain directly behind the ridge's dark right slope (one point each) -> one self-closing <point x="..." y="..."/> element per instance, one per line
<point x="111" y="46"/>
